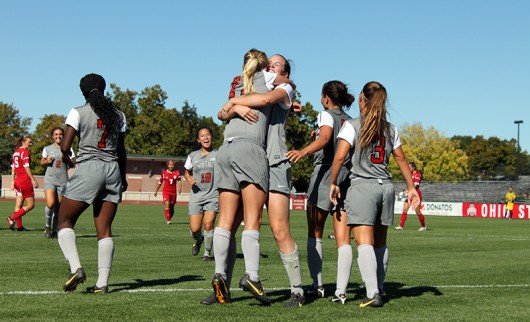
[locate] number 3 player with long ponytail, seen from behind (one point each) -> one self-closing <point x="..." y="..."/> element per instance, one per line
<point x="369" y="201"/>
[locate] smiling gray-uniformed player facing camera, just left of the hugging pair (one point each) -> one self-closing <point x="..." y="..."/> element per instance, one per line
<point x="204" y="198"/>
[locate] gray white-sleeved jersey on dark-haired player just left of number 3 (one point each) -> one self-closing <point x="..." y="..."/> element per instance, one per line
<point x="334" y="118"/>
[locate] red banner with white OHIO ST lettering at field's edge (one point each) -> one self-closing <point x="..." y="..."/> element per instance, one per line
<point x="490" y="210"/>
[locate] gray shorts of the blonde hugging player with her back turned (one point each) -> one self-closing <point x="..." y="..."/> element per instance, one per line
<point x="241" y="161"/>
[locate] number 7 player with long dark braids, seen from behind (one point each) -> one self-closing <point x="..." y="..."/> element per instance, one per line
<point x="98" y="180"/>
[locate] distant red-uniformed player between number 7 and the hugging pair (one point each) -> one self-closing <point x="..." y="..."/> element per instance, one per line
<point x="170" y="179"/>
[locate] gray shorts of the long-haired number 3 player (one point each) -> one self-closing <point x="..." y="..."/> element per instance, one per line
<point x="369" y="202"/>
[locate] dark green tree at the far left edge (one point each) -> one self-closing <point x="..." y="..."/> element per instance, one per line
<point x="13" y="127"/>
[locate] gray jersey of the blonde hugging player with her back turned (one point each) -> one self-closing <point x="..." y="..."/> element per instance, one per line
<point x="237" y="128"/>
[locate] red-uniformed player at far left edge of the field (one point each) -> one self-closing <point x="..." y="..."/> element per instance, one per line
<point x="22" y="182"/>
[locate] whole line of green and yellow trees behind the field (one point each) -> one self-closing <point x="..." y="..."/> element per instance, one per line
<point x="155" y="129"/>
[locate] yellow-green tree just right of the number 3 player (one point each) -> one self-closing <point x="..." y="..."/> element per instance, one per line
<point x="437" y="157"/>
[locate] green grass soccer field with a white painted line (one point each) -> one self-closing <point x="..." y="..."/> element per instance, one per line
<point x="460" y="269"/>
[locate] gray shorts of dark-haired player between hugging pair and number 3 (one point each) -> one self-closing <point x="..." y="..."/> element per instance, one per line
<point x="318" y="191"/>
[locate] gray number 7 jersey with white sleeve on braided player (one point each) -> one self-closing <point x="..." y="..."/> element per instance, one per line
<point x="95" y="140"/>
